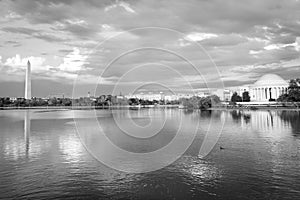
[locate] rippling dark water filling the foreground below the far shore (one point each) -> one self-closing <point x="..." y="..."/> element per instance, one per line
<point x="257" y="155"/>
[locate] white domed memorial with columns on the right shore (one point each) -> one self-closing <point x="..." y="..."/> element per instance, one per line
<point x="269" y="86"/>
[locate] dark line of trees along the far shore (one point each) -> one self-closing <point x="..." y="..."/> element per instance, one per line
<point x="292" y="95"/>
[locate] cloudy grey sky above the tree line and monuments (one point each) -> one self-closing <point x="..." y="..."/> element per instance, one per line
<point x="112" y="47"/>
